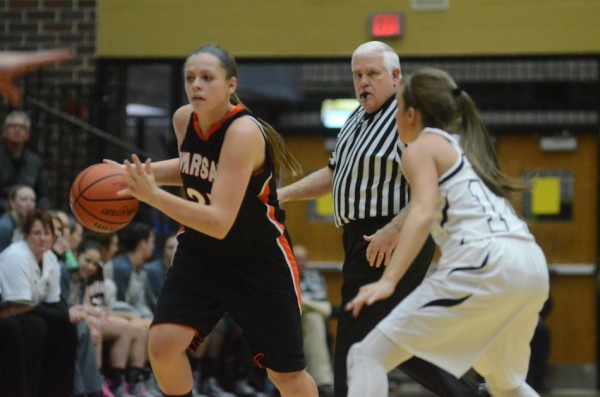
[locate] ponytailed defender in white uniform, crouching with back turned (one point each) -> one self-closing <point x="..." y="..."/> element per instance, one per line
<point x="480" y="308"/>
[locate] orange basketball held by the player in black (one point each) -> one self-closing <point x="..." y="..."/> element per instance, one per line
<point x="94" y="201"/>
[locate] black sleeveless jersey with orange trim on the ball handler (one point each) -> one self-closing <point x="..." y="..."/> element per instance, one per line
<point x="259" y="216"/>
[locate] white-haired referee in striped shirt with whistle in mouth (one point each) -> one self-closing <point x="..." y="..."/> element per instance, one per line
<point x="364" y="174"/>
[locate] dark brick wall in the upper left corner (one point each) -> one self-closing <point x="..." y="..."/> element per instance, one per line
<point x="56" y="92"/>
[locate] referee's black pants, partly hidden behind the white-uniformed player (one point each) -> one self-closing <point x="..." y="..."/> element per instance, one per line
<point x="356" y="272"/>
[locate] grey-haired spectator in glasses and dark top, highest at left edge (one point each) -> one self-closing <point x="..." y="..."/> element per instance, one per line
<point x="19" y="165"/>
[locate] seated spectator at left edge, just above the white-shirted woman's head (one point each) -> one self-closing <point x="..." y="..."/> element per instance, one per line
<point x="21" y="201"/>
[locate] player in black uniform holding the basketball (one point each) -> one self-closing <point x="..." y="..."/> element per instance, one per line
<point x="233" y="252"/>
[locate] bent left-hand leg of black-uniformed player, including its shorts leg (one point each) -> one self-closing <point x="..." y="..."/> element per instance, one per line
<point x="186" y="312"/>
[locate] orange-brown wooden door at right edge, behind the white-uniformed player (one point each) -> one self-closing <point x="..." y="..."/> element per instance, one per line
<point x="572" y="321"/>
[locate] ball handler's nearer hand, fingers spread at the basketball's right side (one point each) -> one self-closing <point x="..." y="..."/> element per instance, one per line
<point x="140" y="179"/>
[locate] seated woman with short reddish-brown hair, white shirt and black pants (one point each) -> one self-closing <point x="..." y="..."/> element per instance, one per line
<point x="29" y="272"/>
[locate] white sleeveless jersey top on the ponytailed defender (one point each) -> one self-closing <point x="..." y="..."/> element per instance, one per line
<point x="467" y="209"/>
